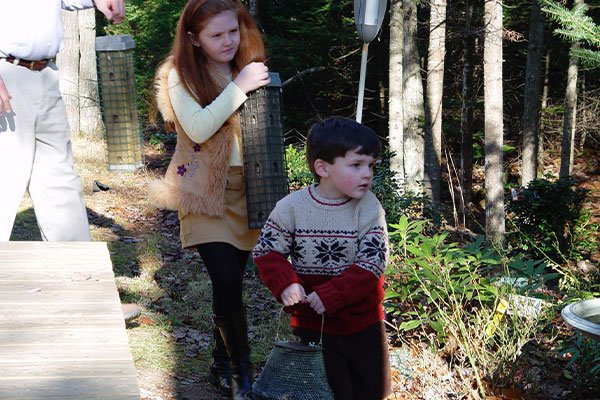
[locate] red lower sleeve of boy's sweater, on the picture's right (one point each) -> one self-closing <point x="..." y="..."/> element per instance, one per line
<point x="350" y="287"/>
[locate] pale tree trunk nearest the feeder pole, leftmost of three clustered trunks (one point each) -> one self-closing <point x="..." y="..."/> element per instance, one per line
<point x="396" y="118"/>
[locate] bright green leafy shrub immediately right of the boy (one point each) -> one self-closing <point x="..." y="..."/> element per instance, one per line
<point x="426" y="270"/>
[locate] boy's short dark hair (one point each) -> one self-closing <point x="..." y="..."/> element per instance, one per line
<point x="334" y="137"/>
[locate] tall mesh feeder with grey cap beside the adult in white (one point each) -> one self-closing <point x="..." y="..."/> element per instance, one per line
<point x="118" y="102"/>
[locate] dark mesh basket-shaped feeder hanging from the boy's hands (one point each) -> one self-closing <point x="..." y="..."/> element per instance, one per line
<point x="294" y="371"/>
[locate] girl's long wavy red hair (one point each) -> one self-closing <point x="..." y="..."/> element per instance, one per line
<point x="189" y="60"/>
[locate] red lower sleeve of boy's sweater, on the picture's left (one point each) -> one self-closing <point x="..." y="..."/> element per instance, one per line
<point x="276" y="272"/>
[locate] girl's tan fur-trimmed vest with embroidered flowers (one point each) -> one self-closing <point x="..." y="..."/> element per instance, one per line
<point x="196" y="177"/>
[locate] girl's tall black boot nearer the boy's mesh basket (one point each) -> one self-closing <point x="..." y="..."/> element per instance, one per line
<point x="234" y="331"/>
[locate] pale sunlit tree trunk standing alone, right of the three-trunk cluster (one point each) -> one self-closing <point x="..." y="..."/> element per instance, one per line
<point x="494" y="126"/>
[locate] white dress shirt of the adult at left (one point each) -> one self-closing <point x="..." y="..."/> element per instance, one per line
<point x="32" y="29"/>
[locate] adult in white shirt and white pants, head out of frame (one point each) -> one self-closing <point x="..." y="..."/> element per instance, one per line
<point x="35" y="147"/>
